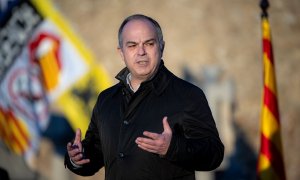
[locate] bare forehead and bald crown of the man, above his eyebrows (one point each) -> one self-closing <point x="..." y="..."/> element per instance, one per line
<point x="139" y="27"/>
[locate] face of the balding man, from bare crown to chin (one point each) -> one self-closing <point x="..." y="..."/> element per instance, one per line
<point x="140" y="50"/>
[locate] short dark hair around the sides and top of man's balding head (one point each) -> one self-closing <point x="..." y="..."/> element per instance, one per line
<point x="142" y="17"/>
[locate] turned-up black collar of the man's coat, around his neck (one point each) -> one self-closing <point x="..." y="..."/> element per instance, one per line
<point x="158" y="83"/>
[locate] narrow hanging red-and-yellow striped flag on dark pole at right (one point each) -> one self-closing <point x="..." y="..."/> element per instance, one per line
<point x="270" y="161"/>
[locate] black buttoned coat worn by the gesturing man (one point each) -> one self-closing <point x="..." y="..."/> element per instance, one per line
<point x="120" y="116"/>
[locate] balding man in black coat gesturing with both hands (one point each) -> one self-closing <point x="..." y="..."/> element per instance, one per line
<point x="151" y="125"/>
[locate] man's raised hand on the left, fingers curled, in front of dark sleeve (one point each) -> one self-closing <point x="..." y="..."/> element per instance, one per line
<point x="75" y="150"/>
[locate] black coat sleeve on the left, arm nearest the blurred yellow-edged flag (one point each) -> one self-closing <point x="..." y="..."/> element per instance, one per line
<point x="92" y="149"/>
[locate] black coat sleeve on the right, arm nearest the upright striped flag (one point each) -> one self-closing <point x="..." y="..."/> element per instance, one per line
<point x="195" y="143"/>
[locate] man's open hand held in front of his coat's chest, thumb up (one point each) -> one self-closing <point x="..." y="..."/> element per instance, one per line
<point x="154" y="142"/>
